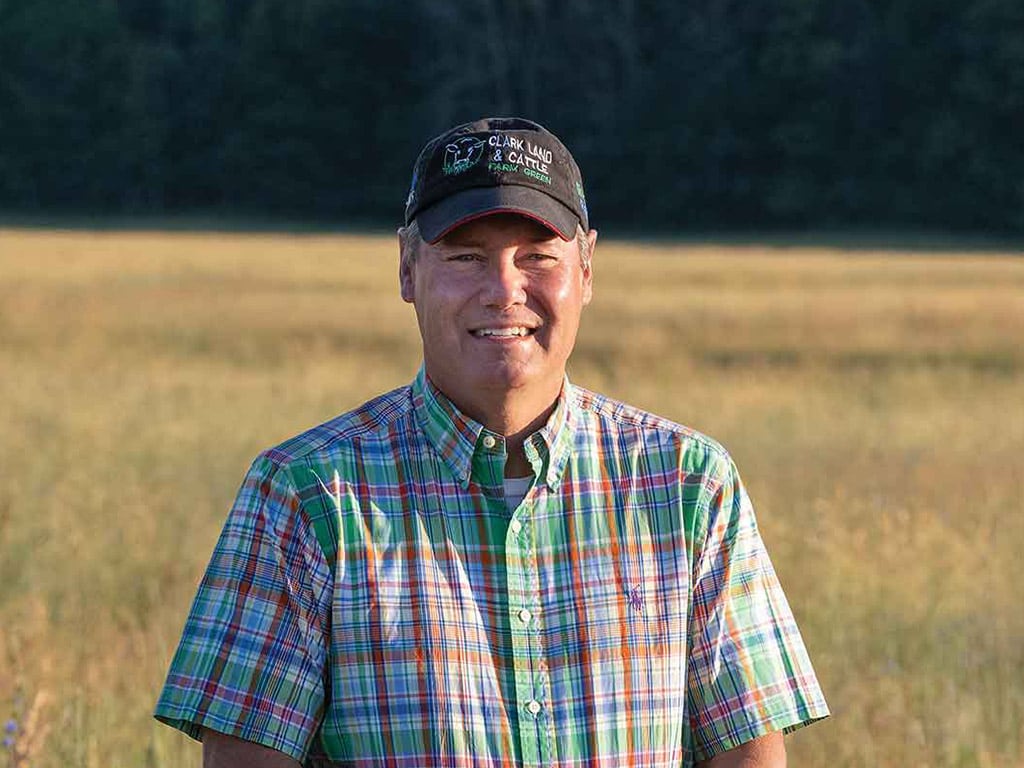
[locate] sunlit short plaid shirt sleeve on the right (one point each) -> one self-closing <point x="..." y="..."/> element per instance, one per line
<point x="749" y="671"/>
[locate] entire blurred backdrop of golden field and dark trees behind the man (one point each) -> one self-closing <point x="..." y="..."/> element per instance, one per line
<point x="812" y="220"/>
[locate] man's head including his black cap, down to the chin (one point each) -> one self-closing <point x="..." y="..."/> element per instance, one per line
<point x="496" y="258"/>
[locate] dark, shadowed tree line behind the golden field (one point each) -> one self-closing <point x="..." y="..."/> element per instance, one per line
<point x="682" y="115"/>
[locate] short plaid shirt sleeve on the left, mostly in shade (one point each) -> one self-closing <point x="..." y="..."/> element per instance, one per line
<point x="252" y="659"/>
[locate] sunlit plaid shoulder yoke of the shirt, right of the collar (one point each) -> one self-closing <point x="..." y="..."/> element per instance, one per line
<point x="602" y="412"/>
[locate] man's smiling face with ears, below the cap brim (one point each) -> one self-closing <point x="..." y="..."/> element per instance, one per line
<point x="498" y="302"/>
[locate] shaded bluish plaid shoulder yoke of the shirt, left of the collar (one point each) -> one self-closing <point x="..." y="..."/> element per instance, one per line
<point x="374" y="419"/>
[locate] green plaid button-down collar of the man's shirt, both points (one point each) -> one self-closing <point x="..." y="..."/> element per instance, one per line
<point x="457" y="438"/>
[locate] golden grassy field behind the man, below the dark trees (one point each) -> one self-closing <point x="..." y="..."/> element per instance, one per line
<point x="874" y="401"/>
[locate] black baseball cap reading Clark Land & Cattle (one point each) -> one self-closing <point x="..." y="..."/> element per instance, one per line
<point x="496" y="165"/>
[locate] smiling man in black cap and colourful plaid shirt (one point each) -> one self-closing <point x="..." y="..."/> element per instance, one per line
<point x="493" y="567"/>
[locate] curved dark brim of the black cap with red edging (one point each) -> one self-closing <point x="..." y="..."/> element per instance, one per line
<point x="458" y="209"/>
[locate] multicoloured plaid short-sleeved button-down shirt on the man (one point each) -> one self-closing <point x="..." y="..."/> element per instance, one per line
<point x="374" y="603"/>
